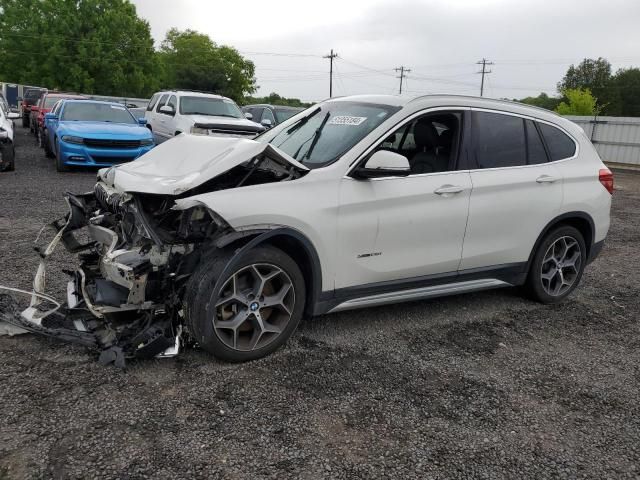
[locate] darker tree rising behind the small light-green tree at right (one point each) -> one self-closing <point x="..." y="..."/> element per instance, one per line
<point x="594" y="75"/>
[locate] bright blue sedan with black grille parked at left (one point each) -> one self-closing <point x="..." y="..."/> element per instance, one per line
<point x="94" y="134"/>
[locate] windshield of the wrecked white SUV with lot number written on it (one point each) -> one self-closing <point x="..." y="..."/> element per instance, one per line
<point x="331" y="130"/>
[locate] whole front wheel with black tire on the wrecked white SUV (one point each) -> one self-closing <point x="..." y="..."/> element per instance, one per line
<point x="250" y="312"/>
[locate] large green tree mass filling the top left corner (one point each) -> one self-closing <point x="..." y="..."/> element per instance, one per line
<point x="89" y="46"/>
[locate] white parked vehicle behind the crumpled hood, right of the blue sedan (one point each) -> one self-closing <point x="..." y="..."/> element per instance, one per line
<point x="171" y="113"/>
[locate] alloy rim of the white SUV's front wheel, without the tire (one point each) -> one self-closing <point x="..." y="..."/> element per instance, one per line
<point x="255" y="306"/>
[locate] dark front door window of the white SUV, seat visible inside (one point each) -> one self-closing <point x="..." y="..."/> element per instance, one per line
<point x="430" y="143"/>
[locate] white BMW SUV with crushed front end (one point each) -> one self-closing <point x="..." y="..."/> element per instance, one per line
<point x="355" y="202"/>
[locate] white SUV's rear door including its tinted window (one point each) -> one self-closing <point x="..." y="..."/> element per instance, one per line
<point x="516" y="191"/>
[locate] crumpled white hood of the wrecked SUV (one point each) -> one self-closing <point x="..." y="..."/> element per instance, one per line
<point x="187" y="161"/>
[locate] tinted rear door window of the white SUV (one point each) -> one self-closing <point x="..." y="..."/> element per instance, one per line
<point x="499" y="140"/>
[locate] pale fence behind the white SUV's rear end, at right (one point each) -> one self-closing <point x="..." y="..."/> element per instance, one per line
<point x="617" y="139"/>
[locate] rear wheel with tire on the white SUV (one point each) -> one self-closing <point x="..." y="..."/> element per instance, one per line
<point x="557" y="266"/>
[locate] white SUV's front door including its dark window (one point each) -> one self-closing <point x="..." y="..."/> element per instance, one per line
<point x="401" y="228"/>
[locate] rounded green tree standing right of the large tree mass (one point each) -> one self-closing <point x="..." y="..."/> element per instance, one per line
<point x="191" y="60"/>
